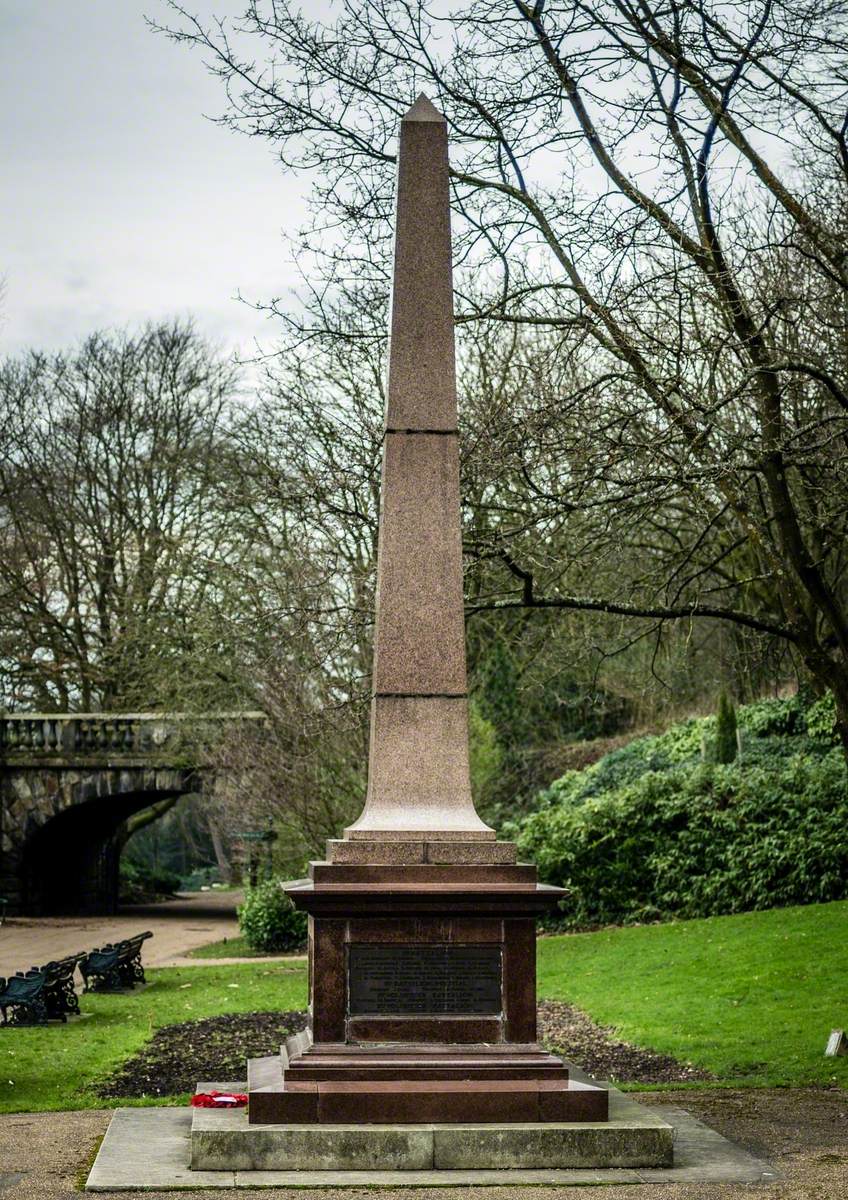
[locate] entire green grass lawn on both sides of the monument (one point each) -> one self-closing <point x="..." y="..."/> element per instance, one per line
<point x="751" y="999"/>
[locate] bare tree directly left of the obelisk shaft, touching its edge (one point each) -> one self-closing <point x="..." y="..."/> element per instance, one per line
<point x="312" y="439"/>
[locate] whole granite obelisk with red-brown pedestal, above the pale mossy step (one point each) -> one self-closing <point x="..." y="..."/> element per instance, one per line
<point x="423" y="968"/>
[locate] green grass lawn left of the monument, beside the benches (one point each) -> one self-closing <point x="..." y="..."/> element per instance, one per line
<point x="53" y="1067"/>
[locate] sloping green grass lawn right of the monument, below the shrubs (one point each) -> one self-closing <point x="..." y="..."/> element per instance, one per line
<point x="751" y="999"/>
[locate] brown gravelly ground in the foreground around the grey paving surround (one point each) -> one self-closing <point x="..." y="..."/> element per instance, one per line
<point x="804" y="1132"/>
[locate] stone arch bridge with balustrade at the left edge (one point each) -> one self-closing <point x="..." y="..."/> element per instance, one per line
<point x="70" y="783"/>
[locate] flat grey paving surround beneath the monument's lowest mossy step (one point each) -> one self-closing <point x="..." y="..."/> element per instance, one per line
<point x="149" y="1149"/>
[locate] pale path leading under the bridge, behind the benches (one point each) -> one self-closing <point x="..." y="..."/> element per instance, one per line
<point x="178" y="927"/>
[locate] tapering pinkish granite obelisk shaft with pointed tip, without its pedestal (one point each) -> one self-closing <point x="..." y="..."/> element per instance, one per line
<point x="419" y="782"/>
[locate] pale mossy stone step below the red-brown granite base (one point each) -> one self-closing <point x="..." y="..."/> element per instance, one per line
<point x="633" y="1137"/>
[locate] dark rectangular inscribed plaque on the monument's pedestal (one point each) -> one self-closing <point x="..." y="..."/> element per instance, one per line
<point x="432" y="981"/>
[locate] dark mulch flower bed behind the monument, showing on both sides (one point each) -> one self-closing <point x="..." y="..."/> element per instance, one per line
<point x="218" y="1049"/>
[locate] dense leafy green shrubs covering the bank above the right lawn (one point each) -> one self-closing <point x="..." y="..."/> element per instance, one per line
<point x="652" y="832"/>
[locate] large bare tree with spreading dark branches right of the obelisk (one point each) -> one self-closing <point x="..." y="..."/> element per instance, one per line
<point x="664" y="189"/>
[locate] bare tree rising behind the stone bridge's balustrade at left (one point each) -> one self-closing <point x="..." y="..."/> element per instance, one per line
<point x="115" y="525"/>
